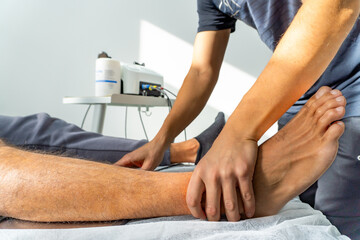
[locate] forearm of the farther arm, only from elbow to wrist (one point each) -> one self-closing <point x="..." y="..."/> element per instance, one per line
<point x="191" y="99"/>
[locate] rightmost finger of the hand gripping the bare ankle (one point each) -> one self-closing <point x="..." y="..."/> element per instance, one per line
<point x="247" y="195"/>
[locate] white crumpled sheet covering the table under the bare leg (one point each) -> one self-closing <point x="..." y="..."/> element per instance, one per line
<point x="296" y="220"/>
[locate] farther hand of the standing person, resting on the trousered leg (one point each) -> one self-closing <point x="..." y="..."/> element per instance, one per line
<point x="148" y="157"/>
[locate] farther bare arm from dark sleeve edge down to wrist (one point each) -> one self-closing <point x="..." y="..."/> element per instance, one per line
<point x="208" y="54"/>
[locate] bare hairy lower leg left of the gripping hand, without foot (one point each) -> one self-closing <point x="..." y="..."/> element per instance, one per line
<point x="39" y="187"/>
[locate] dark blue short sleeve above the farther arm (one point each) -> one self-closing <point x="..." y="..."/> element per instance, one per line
<point x="212" y="19"/>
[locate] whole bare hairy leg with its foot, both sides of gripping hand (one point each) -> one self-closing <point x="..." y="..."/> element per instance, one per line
<point x="49" y="188"/>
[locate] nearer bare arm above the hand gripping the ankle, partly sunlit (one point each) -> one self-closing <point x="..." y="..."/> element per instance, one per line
<point x="307" y="48"/>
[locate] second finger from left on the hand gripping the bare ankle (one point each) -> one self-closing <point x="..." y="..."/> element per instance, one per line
<point x="212" y="205"/>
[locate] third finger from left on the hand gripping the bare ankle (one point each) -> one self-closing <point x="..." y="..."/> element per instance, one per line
<point x="230" y="200"/>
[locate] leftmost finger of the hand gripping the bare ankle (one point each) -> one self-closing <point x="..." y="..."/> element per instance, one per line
<point x="194" y="195"/>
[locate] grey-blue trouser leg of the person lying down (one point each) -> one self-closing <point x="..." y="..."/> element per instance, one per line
<point x="44" y="133"/>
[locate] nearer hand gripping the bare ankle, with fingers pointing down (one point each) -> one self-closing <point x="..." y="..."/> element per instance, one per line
<point x="228" y="165"/>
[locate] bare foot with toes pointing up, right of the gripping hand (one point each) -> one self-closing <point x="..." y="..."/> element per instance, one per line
<point x="300" y="153"/>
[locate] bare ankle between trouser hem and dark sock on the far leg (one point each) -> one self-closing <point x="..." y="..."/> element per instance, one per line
<point x="184" y="151"/>
